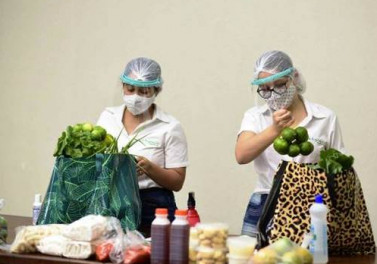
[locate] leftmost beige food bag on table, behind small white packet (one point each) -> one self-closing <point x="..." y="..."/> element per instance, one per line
<point x="27" y="237"/>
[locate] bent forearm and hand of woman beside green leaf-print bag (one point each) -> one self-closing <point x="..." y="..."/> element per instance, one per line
<point x="172" y="178"/>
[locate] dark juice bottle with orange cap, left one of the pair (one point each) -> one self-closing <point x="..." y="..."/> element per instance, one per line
<point x="160" y="237"/>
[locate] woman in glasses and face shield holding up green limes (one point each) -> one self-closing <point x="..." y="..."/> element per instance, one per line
<point x="281" y="86"/>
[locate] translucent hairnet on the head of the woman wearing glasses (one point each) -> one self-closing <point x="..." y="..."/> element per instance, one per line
<point x="275" y="62"/>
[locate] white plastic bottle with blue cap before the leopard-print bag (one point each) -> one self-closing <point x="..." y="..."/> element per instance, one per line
<point x="318" y="228"/>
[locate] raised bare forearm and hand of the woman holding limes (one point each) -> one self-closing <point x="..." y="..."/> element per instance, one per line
<point x="250" y="145"/>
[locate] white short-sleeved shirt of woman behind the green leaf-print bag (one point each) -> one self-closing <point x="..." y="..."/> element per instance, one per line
<point x="163" y="141"/>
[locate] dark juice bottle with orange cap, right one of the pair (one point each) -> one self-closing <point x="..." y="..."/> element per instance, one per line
<point x="179" y="238"/>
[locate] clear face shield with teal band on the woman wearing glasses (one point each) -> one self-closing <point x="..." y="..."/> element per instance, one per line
<point x="276" y="90"/>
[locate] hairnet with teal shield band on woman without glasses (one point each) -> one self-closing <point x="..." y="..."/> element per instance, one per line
<point x="142" y="72"/>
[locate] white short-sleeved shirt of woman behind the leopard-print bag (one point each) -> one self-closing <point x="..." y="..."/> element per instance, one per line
<point x="324" y="132"/>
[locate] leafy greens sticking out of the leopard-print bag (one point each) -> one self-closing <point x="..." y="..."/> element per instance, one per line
<point x="333" y="161"/>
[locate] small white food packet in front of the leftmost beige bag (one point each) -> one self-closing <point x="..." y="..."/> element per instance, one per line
<point x="53" y="245"/>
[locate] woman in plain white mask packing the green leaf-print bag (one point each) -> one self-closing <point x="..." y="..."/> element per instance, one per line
<point x="161" y="151"/>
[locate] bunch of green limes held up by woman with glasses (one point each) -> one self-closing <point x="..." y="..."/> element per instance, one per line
<point x="293" y="142"/>
